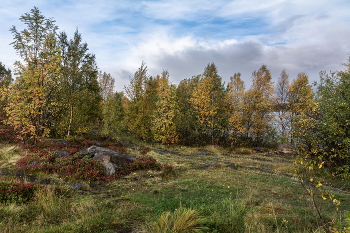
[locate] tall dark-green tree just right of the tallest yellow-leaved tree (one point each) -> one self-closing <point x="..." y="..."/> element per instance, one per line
<point x="78" y="107"/>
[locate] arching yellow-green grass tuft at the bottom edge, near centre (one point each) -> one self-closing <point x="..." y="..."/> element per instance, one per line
<point x="182" y="220"/>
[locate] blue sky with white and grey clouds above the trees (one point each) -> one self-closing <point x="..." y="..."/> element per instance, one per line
<point x="184" y="36"/>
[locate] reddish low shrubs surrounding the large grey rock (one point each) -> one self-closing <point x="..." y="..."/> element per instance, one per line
<point x="76" y="166"/>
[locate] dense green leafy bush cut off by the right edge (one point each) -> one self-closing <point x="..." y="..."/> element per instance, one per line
<point x="334" y="124"/>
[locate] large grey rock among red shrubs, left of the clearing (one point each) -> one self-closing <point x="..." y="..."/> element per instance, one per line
<point x="112" y="160"/>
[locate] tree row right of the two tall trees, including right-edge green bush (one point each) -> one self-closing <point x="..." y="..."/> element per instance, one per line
<point x="203" y="110"/>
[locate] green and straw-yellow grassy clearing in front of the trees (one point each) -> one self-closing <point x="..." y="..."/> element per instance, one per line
<point x="210" y="189"/>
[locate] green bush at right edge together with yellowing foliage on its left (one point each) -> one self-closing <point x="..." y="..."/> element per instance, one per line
<point x="322" y="127"/>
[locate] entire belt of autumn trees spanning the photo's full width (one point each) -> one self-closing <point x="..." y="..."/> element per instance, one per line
<point x="59" y="91"/>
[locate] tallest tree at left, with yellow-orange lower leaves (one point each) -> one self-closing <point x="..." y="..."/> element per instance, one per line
<point x="31" y="97"/>
